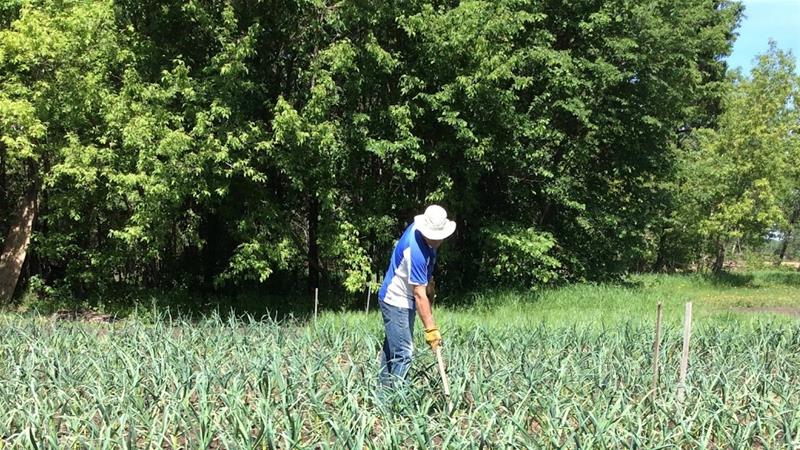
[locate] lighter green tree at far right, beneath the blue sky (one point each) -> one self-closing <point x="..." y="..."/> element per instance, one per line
<point x="739" y="182"/>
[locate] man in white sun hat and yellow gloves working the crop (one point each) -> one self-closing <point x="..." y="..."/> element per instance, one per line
<point x="404" y="290"/>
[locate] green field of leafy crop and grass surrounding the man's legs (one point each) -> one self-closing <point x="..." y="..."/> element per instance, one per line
<point x="569" y="367"/>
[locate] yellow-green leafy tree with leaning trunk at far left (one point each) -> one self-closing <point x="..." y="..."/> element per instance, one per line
<point x="56" y="60"/>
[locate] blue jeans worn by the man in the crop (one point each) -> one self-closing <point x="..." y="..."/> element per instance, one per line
<point x="398" y="347"/>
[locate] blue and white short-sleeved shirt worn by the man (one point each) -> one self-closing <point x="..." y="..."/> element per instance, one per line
<point x="411" y="265"/>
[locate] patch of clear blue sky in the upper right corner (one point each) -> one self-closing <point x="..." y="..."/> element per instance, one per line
<point x="765" y="19"/>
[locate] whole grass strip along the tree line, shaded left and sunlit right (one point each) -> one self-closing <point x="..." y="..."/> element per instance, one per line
<point x="713" y="297"/>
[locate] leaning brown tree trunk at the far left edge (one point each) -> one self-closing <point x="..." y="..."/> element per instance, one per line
<point x="16" y="245"/>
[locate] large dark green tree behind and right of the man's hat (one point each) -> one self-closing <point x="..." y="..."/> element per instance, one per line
<point x="553" y="122"/>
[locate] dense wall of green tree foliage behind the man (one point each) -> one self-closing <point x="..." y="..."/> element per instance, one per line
<point x="218" y="144"/>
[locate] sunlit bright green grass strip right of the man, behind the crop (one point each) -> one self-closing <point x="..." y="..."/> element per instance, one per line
<point x="715" y="300"/>
